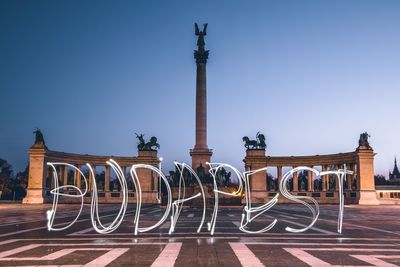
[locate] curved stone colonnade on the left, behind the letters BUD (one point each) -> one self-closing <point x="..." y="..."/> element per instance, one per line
<point x="41" y="179"/>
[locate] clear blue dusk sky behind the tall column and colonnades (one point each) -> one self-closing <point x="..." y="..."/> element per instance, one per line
<point x="311" y="75"/>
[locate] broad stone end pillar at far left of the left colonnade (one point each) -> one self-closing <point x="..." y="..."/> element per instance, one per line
<point x="37" y="169"/>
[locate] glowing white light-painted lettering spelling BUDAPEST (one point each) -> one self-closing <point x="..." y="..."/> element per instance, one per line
<point x="174" y="207"/>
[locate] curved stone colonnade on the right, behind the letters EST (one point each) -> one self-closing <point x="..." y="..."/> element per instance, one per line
<point x="358" y="189"/>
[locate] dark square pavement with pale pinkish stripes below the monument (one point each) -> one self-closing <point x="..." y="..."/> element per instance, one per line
<point x="371" y="237"/>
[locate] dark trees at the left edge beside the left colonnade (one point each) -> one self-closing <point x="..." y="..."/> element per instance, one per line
<point x="12" y="187"/>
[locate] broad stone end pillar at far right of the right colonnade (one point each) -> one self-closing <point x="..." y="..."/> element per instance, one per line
<point x="365" y="172"/>
